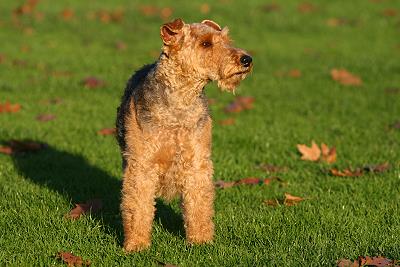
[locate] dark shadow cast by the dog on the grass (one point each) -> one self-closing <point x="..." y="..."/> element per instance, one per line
<point x="78" y="181"/>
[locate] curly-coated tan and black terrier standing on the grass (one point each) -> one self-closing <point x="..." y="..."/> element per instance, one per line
<point x="164" y="129"/>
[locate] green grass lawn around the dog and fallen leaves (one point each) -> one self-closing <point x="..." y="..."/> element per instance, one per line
<point x="343" y="217"/>
